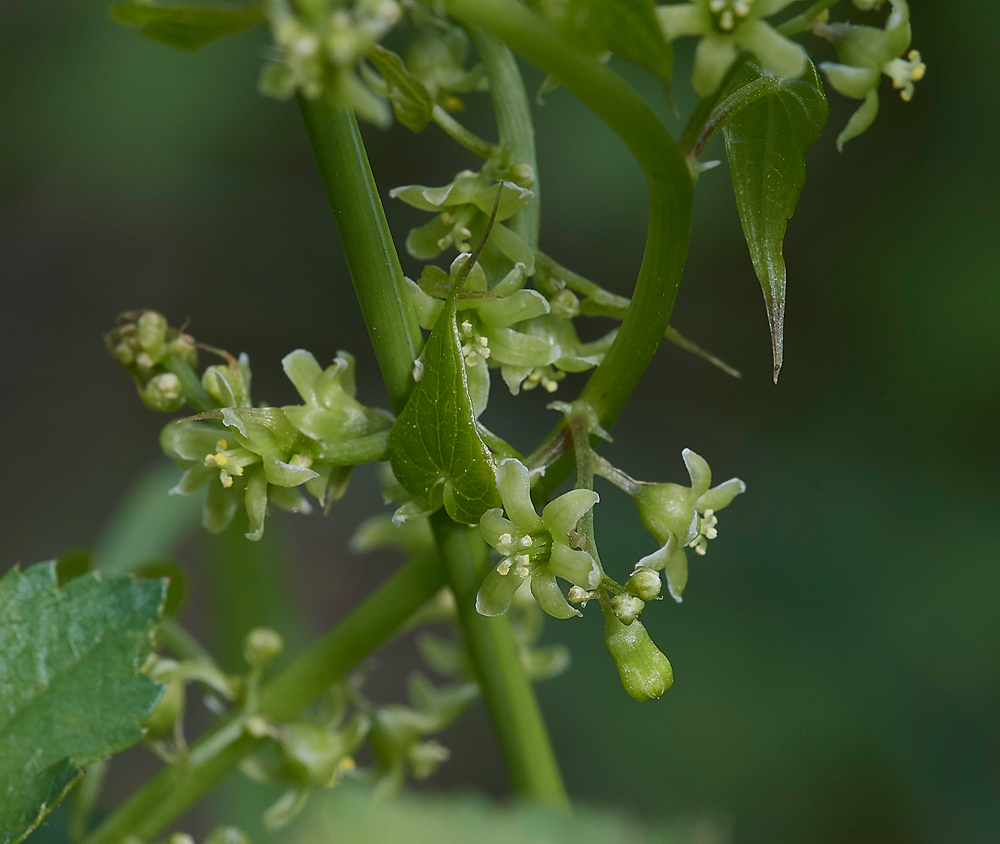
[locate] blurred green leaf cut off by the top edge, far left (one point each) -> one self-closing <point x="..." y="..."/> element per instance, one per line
<point x="187" y="27"/>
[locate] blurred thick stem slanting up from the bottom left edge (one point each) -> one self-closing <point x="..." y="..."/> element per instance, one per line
<point x="176" y="788"/>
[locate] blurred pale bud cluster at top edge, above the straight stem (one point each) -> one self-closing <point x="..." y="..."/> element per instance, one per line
<point x="318" y="46"/>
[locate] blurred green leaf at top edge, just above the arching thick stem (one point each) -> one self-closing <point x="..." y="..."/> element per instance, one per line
<point x="627" y="28"/>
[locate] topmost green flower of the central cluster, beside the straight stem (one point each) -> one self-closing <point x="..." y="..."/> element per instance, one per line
<point x="463" y="208"/>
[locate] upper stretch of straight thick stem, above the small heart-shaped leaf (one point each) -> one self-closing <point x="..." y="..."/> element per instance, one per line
<point x="367" y="242"/>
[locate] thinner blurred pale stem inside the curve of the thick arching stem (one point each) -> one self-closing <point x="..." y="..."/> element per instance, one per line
<point x="514" y="125"/>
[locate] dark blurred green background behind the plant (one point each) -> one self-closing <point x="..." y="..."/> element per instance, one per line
<point x="837" y="655"/>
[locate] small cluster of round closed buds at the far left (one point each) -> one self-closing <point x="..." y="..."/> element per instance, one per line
<point x="150" y="350"/>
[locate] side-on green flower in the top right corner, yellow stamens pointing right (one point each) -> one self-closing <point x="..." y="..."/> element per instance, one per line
<point x="866" y="53"/>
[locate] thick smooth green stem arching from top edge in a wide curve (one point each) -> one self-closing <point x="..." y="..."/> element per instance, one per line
<point x="670" y="190"/>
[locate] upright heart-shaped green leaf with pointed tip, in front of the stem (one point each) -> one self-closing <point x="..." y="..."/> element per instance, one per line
<point x="434" y="446"/>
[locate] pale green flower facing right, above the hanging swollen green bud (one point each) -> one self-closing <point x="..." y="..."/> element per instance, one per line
<point x="683" y="517"/>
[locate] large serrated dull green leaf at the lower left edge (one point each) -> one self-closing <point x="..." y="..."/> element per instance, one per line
<point x="71" y="691"/>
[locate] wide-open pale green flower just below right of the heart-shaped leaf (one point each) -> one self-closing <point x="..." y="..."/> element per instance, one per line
<point x="535" y="548"/>
